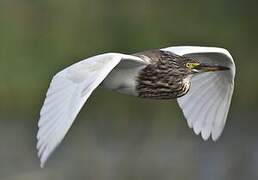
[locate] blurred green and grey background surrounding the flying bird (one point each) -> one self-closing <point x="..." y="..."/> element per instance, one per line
<point x="117" y="136"/>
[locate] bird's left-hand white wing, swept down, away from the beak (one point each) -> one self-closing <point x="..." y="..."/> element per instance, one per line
<point x="67" y="93"/>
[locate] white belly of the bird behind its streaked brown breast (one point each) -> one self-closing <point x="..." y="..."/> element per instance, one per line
<point x="123" y="80"/>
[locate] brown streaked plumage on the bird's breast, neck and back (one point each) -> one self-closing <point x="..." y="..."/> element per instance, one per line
<point x="166" y="77"/>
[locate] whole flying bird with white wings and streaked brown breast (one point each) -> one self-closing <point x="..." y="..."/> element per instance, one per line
<point x="200" y="78"/>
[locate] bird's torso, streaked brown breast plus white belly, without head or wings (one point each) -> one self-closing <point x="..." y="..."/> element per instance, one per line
<point x="159" y="77"/>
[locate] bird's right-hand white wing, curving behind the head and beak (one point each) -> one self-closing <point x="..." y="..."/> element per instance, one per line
<point x="206" y="104"/>
